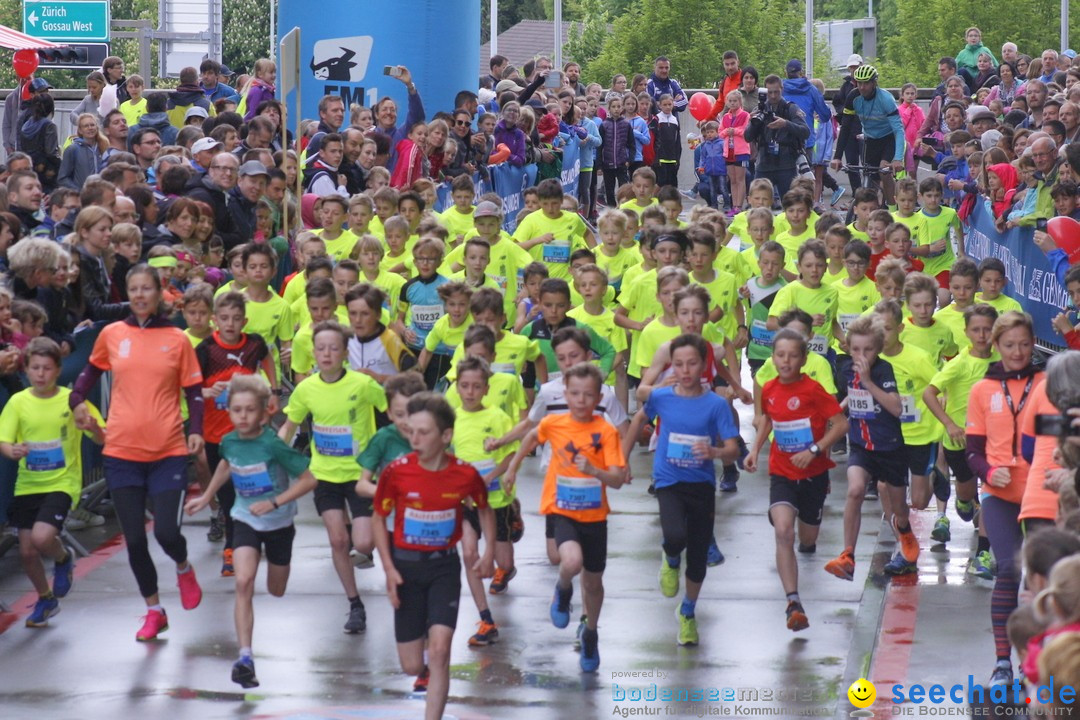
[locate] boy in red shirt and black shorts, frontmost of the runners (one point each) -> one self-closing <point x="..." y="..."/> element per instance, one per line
<point x="425" y="491"/>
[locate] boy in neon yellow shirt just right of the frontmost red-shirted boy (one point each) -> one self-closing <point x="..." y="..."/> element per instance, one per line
<point x="474" y="428"/>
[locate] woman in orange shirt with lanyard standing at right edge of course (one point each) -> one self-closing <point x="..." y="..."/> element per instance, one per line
<point x="995" y="455"/>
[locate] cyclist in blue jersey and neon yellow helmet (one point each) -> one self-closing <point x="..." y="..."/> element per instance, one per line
<point x="883" y="129"/>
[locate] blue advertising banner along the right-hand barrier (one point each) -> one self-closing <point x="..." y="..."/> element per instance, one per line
<point x="1032" y="281"/>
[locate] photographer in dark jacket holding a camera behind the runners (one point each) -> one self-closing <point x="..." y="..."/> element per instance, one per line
<point x="781" y="132"/>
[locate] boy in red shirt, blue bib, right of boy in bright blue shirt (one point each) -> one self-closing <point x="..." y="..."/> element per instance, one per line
<point x="807" y="423"/>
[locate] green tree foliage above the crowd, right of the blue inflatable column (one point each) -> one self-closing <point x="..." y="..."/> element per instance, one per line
<point x="695" y="34"/>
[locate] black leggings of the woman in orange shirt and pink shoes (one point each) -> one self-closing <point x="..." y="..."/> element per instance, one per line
<point x="130" y="504"/>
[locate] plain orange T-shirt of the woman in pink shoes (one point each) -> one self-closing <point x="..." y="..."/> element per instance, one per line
<point x="150" y="366"/>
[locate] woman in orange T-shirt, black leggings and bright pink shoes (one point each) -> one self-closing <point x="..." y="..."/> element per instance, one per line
<point x="146" y="453"/>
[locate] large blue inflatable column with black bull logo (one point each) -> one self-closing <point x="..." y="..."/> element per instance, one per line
<point x="347" y="46"/>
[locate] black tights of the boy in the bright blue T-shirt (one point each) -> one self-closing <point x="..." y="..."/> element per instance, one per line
<point x="687" y="511"/>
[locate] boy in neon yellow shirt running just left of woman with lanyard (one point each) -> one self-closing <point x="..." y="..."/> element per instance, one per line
<point x="947" y="398"/>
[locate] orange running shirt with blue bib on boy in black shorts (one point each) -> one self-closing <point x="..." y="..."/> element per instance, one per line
<point x="568" y="491"/>
